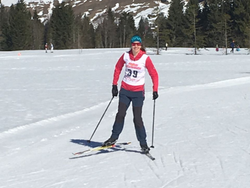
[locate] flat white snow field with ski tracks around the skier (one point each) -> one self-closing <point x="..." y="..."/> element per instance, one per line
<point x="51" y="104"/>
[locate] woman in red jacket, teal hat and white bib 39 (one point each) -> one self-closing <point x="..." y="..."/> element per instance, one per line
<point x="132" y="90"/>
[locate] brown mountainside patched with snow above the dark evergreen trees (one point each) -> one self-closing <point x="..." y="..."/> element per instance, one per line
<point x="96" y="8"/>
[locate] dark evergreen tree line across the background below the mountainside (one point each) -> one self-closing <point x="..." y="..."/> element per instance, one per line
<point x="215" y="22"/>
